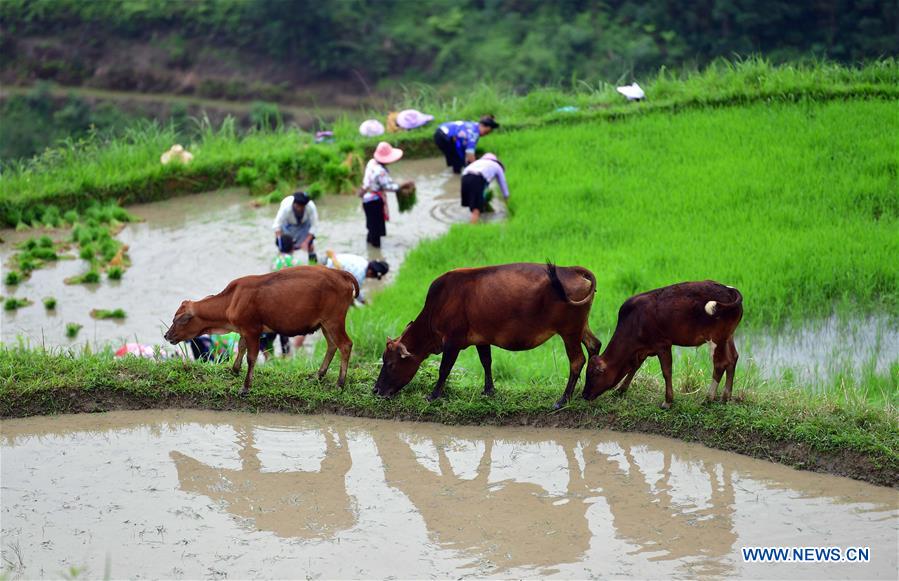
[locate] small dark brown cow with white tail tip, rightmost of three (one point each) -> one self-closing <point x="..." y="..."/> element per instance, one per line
<point x="686" y="314"/>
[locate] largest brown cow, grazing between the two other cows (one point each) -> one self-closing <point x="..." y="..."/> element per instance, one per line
<point x="513" y="306"/>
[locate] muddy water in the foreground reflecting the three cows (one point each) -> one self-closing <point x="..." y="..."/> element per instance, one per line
<point x="189" y="494"/>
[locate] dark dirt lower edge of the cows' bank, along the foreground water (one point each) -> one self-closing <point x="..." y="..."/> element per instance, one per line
<point x="798" y="455"/>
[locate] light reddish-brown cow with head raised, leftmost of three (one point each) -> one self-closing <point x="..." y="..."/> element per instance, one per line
<point x="292" y="301"/>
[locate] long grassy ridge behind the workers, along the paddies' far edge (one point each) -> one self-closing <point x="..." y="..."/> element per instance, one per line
<point x="128" y="169"/>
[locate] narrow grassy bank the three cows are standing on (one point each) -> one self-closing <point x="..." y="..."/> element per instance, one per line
<point x="858" y="442"/>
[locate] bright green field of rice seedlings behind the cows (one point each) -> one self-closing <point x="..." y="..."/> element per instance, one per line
<point x="796" y="205"/>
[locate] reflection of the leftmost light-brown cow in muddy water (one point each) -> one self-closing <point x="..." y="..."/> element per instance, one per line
<point x="311" y="505"/>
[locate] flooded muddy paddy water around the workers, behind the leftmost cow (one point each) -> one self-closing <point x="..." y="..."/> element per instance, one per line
<point x="192" y="246"/>
